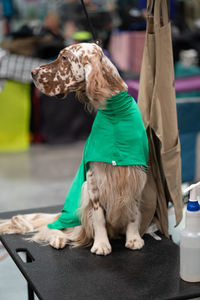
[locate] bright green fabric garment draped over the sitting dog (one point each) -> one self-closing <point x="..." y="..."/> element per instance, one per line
<point x="117" y="137"/>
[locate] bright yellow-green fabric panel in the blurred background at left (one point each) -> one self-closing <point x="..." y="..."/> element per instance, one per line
<point x="15" y="116"/>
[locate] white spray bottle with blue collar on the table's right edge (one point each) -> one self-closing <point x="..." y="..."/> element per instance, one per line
<point x="190" y="238"/>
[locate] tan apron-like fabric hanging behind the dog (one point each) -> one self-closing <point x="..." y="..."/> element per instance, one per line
<point x="157" y="104"/>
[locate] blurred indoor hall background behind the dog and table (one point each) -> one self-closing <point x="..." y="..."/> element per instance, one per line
<point x="42" y="138"/>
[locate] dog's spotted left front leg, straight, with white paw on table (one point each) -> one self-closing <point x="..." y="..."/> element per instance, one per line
<point x="101" y="244"/>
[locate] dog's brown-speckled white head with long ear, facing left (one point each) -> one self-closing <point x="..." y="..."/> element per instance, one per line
<point x="80" y="67"/>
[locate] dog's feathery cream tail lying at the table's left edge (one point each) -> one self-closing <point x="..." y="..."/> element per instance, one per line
<point x="26" y="223"/>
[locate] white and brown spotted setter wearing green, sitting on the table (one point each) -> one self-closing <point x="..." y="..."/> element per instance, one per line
<point x="110" y="202"/>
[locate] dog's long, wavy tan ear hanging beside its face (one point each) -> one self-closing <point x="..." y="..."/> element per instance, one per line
<point x="97" y="87"/>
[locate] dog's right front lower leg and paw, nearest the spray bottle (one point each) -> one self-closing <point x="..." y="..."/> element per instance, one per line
<point x="133" y="239"/>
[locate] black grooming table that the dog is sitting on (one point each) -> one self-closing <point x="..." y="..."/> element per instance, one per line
<point x="77" y="274"/>
